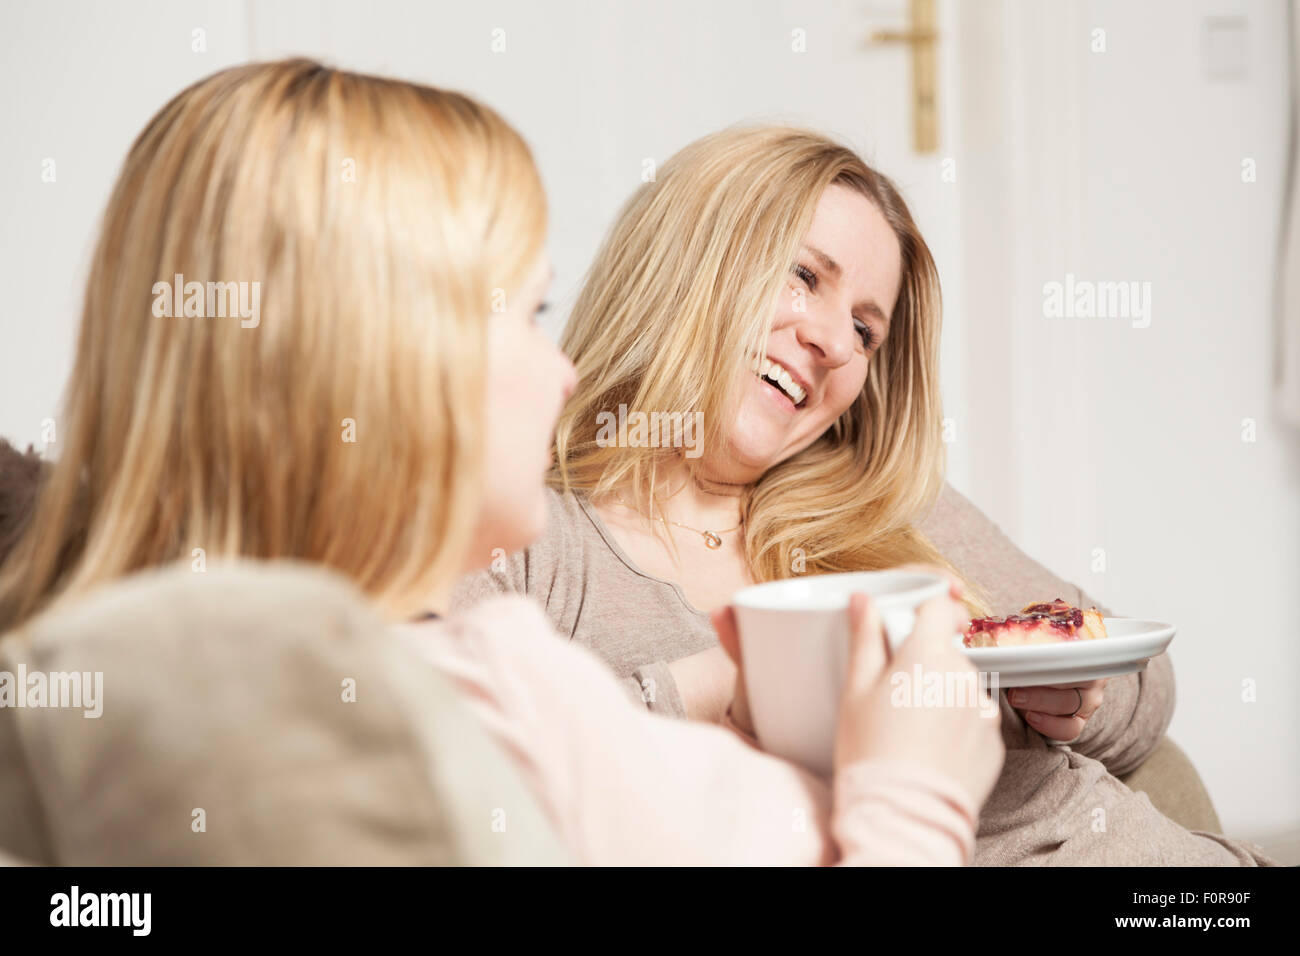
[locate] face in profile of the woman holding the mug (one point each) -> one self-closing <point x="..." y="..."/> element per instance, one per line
<point x="528" y="383"/>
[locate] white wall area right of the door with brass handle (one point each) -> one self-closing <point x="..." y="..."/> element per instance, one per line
<point x="1093" y="434"/>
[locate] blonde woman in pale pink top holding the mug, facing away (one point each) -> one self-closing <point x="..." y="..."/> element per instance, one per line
<point x="379" y="418"/>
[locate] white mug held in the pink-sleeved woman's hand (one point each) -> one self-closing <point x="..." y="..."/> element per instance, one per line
<point x="795" y="650"/>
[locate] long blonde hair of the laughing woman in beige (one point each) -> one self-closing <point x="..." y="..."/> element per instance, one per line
<point x="681" y="300"/>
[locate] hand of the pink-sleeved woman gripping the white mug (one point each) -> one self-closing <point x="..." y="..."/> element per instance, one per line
<point x="961" y="738"/>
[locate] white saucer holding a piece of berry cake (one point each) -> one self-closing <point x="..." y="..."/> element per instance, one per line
<point x="1129" y="646"/>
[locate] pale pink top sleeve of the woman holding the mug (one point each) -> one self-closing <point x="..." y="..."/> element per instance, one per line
<point x="630" y="788"/>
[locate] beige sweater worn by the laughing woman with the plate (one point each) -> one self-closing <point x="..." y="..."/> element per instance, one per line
<point x="1054" y="804"/>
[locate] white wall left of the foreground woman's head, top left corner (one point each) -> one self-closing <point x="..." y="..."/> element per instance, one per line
<point x="79" y="81"/>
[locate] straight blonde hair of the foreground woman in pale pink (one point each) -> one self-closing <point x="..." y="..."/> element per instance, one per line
<point x="378" y="217"/>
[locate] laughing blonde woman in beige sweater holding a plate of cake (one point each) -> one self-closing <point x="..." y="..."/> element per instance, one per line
<point x="757" y="349"/>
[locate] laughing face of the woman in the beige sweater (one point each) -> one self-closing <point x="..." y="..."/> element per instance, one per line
<point x="830" y="321"/>
